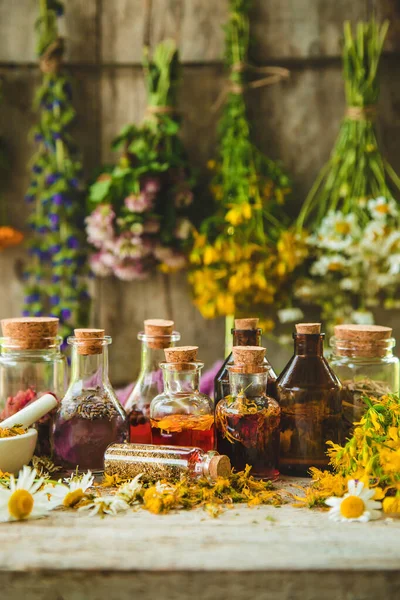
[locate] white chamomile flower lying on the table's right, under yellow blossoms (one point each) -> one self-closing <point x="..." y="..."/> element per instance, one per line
<point x="356" y="505"/>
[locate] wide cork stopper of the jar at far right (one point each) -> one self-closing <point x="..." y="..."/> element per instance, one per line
<point x="363" y="340"/>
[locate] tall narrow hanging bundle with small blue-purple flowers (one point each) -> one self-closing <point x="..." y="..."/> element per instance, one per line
<point x="56" y="274"/>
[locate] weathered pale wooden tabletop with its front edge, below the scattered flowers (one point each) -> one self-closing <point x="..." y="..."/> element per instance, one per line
<point x="283" y="553"/>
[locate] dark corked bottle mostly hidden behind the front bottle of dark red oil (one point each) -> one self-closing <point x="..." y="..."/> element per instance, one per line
<point x="245" y="333"/>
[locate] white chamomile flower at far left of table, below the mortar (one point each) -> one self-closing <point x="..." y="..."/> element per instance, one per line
<point x="23" y="500"/>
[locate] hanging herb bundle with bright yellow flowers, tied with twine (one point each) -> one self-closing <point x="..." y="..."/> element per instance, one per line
<point x="242" y="254"/>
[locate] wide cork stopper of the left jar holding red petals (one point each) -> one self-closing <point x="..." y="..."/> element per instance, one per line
<point x="28" y="333"/>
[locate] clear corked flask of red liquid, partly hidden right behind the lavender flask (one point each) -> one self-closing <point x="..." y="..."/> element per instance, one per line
<point x="158" y="334"/>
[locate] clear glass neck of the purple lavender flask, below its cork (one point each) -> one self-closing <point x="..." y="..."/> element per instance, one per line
<point x="91" y="369"/>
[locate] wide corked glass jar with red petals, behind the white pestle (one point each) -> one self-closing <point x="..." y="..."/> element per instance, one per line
<point x="31" y="364"/>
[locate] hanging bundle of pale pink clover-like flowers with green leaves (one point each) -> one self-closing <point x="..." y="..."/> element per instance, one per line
<point x="140" y="207"/>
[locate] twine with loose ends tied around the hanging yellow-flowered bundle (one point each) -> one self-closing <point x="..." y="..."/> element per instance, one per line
<point x="272" y="75"/>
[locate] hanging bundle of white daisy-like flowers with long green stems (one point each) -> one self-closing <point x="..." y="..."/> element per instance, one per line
<point x="355" y="247"/>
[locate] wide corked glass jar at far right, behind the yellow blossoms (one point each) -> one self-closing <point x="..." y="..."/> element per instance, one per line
<point x="362" y="357"/>
